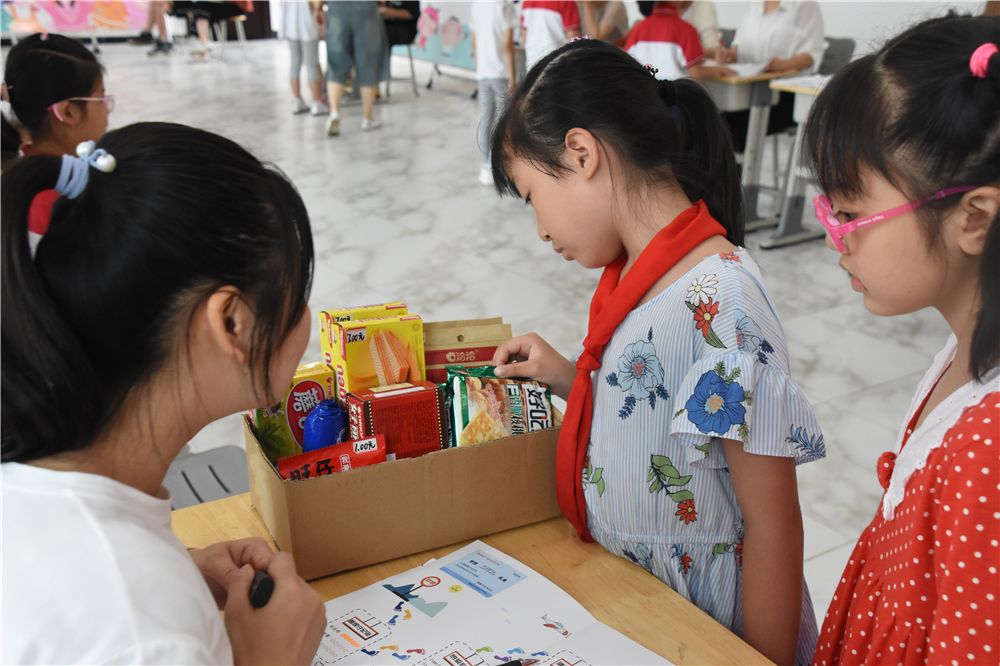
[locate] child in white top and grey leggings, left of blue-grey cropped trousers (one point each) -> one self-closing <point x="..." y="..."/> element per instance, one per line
<point x="300" y="28"/>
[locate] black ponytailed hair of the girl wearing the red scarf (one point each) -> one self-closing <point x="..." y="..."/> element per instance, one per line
<point x="664" y="131"/>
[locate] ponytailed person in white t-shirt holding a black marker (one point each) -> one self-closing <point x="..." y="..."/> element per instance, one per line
<point x="140" y="319"/>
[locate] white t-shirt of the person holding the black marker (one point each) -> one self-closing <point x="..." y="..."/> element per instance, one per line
<point x="92" y="573"/>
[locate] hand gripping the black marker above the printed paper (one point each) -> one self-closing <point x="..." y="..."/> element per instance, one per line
<point x="286" y="630"/>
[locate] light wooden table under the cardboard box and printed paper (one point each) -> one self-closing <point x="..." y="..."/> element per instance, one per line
<point x="613" y="590"/>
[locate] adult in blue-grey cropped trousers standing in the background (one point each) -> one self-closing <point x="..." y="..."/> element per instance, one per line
<point x="355" y="37"/>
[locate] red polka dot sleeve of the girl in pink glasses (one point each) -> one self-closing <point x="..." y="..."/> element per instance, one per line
<point x="966" y="619"/>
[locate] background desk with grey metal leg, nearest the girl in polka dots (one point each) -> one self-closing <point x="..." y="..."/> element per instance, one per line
<point x="790" y="230"/>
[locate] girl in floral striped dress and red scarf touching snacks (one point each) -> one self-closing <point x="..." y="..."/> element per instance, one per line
<point x="680" y="452"/>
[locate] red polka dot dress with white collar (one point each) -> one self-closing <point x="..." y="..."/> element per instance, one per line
<point x="922" y="585"/>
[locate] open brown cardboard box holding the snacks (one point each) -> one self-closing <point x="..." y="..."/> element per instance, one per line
<point x="372" y="514"/>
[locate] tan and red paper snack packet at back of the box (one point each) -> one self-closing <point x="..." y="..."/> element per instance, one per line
<point x="468" y="342"/>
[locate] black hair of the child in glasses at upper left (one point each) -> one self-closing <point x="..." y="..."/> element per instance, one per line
<point x="44" y="69"/>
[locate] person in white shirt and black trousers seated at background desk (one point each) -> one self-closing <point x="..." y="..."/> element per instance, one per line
<point x="787" y="36"/>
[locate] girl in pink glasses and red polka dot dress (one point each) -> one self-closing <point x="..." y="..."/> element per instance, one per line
<point x="906" y="143"/>
